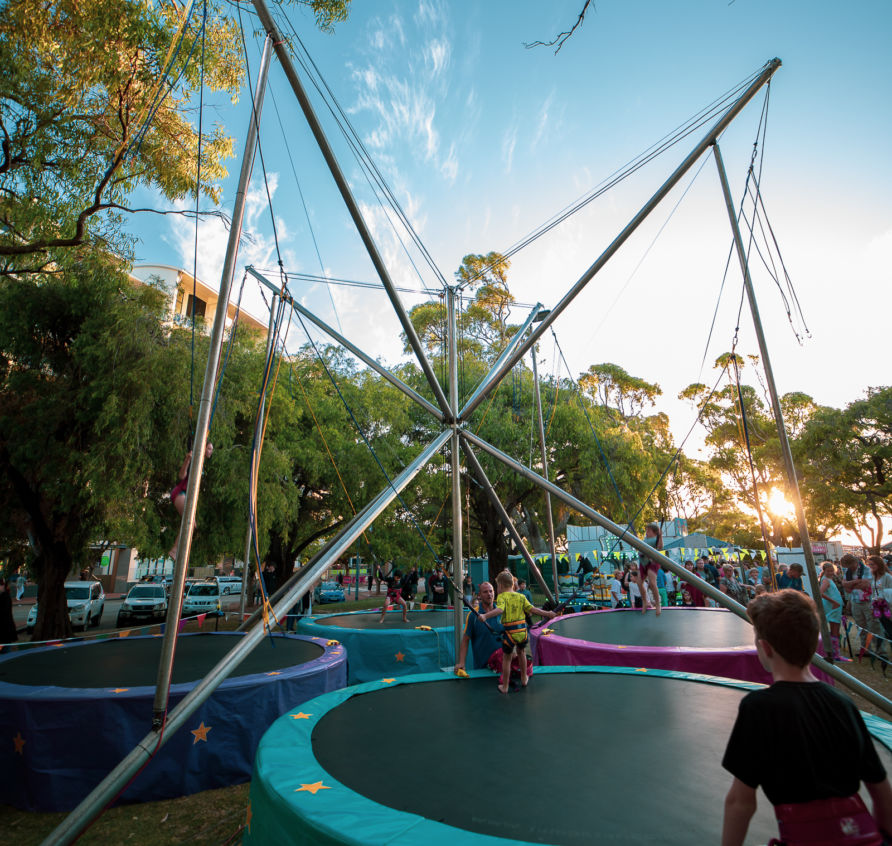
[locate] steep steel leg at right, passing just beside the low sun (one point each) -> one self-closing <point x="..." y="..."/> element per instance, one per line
<point x="775" y="404"/>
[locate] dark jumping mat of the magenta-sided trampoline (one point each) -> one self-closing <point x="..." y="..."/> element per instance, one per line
<point x="674" y="627"/>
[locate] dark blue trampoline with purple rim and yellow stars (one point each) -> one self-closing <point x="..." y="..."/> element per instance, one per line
<point x="71" y="711"/>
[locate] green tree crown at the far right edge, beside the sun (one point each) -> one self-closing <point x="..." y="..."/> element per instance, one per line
<point x="846" y="460"/>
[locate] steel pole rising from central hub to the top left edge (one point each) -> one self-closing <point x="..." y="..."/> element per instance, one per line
<point x="281" y="47"/>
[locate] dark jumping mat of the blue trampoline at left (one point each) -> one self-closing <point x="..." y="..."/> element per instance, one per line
<point x="133" y="662"/>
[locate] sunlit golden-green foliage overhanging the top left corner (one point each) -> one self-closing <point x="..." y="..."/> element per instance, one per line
<point x="93" y="104"/>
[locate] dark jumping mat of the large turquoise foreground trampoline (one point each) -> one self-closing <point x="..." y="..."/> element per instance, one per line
<point x="576" y="758"/>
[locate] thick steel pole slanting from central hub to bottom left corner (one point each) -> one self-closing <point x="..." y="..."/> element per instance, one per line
<point x="90" y="807"/>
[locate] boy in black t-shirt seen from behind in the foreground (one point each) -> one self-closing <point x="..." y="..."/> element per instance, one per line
<point x="806" y="744"/>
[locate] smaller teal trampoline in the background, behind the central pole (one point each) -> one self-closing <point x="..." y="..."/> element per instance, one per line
<point x="391" y="648"/>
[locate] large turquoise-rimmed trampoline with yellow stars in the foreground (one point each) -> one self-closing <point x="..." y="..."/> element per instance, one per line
<point x="583" y="755"/>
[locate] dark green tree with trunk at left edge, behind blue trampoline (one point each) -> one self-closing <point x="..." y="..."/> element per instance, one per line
<point x="83" y="398"/>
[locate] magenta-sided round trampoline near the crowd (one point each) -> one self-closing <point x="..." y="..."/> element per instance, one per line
<point x="693" y="640"/>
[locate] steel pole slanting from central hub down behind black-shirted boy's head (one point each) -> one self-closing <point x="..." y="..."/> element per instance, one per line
<point x="725" y="601"/>
